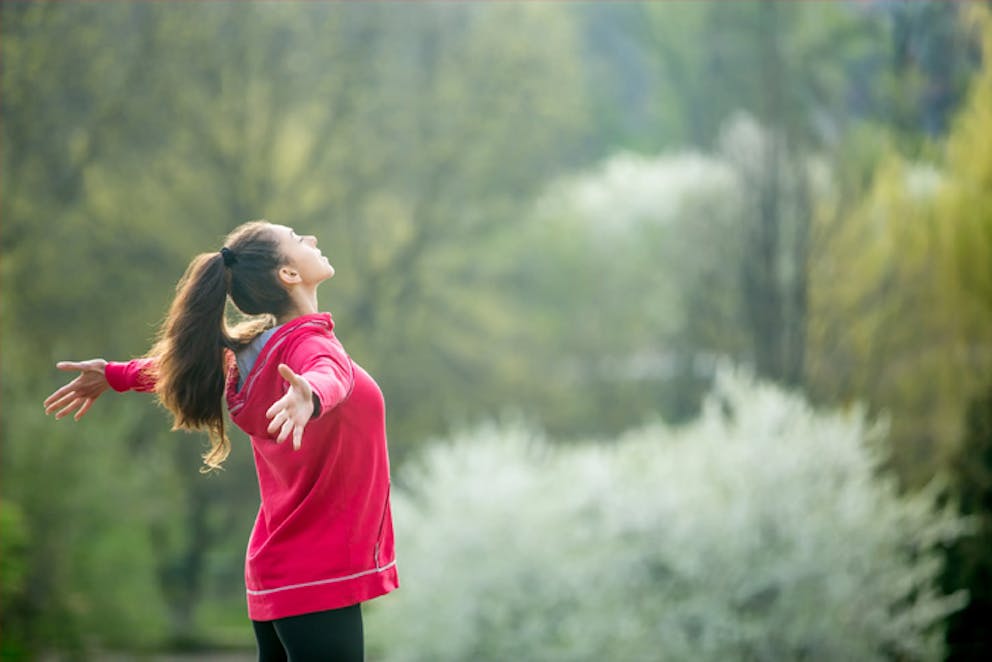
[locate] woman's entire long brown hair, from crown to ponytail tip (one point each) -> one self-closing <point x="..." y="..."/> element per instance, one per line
<point x="192" y="341"/>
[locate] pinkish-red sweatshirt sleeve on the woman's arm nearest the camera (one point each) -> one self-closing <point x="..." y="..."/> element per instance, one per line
<point x="326" y="367"/>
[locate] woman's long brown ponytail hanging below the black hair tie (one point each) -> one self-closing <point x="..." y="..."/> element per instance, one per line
<point x="189" y="352"/>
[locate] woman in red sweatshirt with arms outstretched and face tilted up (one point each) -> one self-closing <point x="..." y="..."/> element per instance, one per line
<point x="323" y="540"/>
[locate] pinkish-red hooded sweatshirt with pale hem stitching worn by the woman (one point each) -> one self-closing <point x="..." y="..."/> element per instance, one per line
<point x="323" y="538"/>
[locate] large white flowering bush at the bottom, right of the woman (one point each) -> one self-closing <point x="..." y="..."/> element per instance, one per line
<point x="763" y="531"/>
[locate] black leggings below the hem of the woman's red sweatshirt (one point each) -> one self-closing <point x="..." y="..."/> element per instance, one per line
<point x="335" y="635"/>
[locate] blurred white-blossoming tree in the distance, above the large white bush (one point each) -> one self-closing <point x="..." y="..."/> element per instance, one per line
<point x="665" y="226"/>
